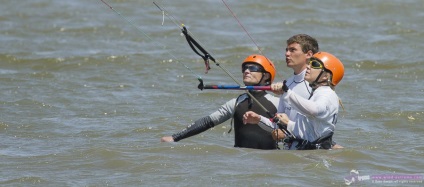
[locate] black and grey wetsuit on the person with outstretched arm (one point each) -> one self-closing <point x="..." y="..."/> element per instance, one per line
<point x="246" y="136"/>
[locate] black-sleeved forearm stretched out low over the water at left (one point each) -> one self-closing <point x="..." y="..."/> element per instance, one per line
<point x="197" y="127"/>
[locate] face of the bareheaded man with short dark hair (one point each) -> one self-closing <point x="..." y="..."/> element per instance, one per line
<point x="296" y="58"/>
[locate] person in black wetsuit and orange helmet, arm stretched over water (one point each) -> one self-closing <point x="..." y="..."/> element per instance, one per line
<point x="257" y="71"/>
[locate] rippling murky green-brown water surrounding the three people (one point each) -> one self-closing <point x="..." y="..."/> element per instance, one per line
<point x="86" y="96"/>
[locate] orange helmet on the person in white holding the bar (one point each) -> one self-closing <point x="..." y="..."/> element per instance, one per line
<point x="332" y="64"/>
